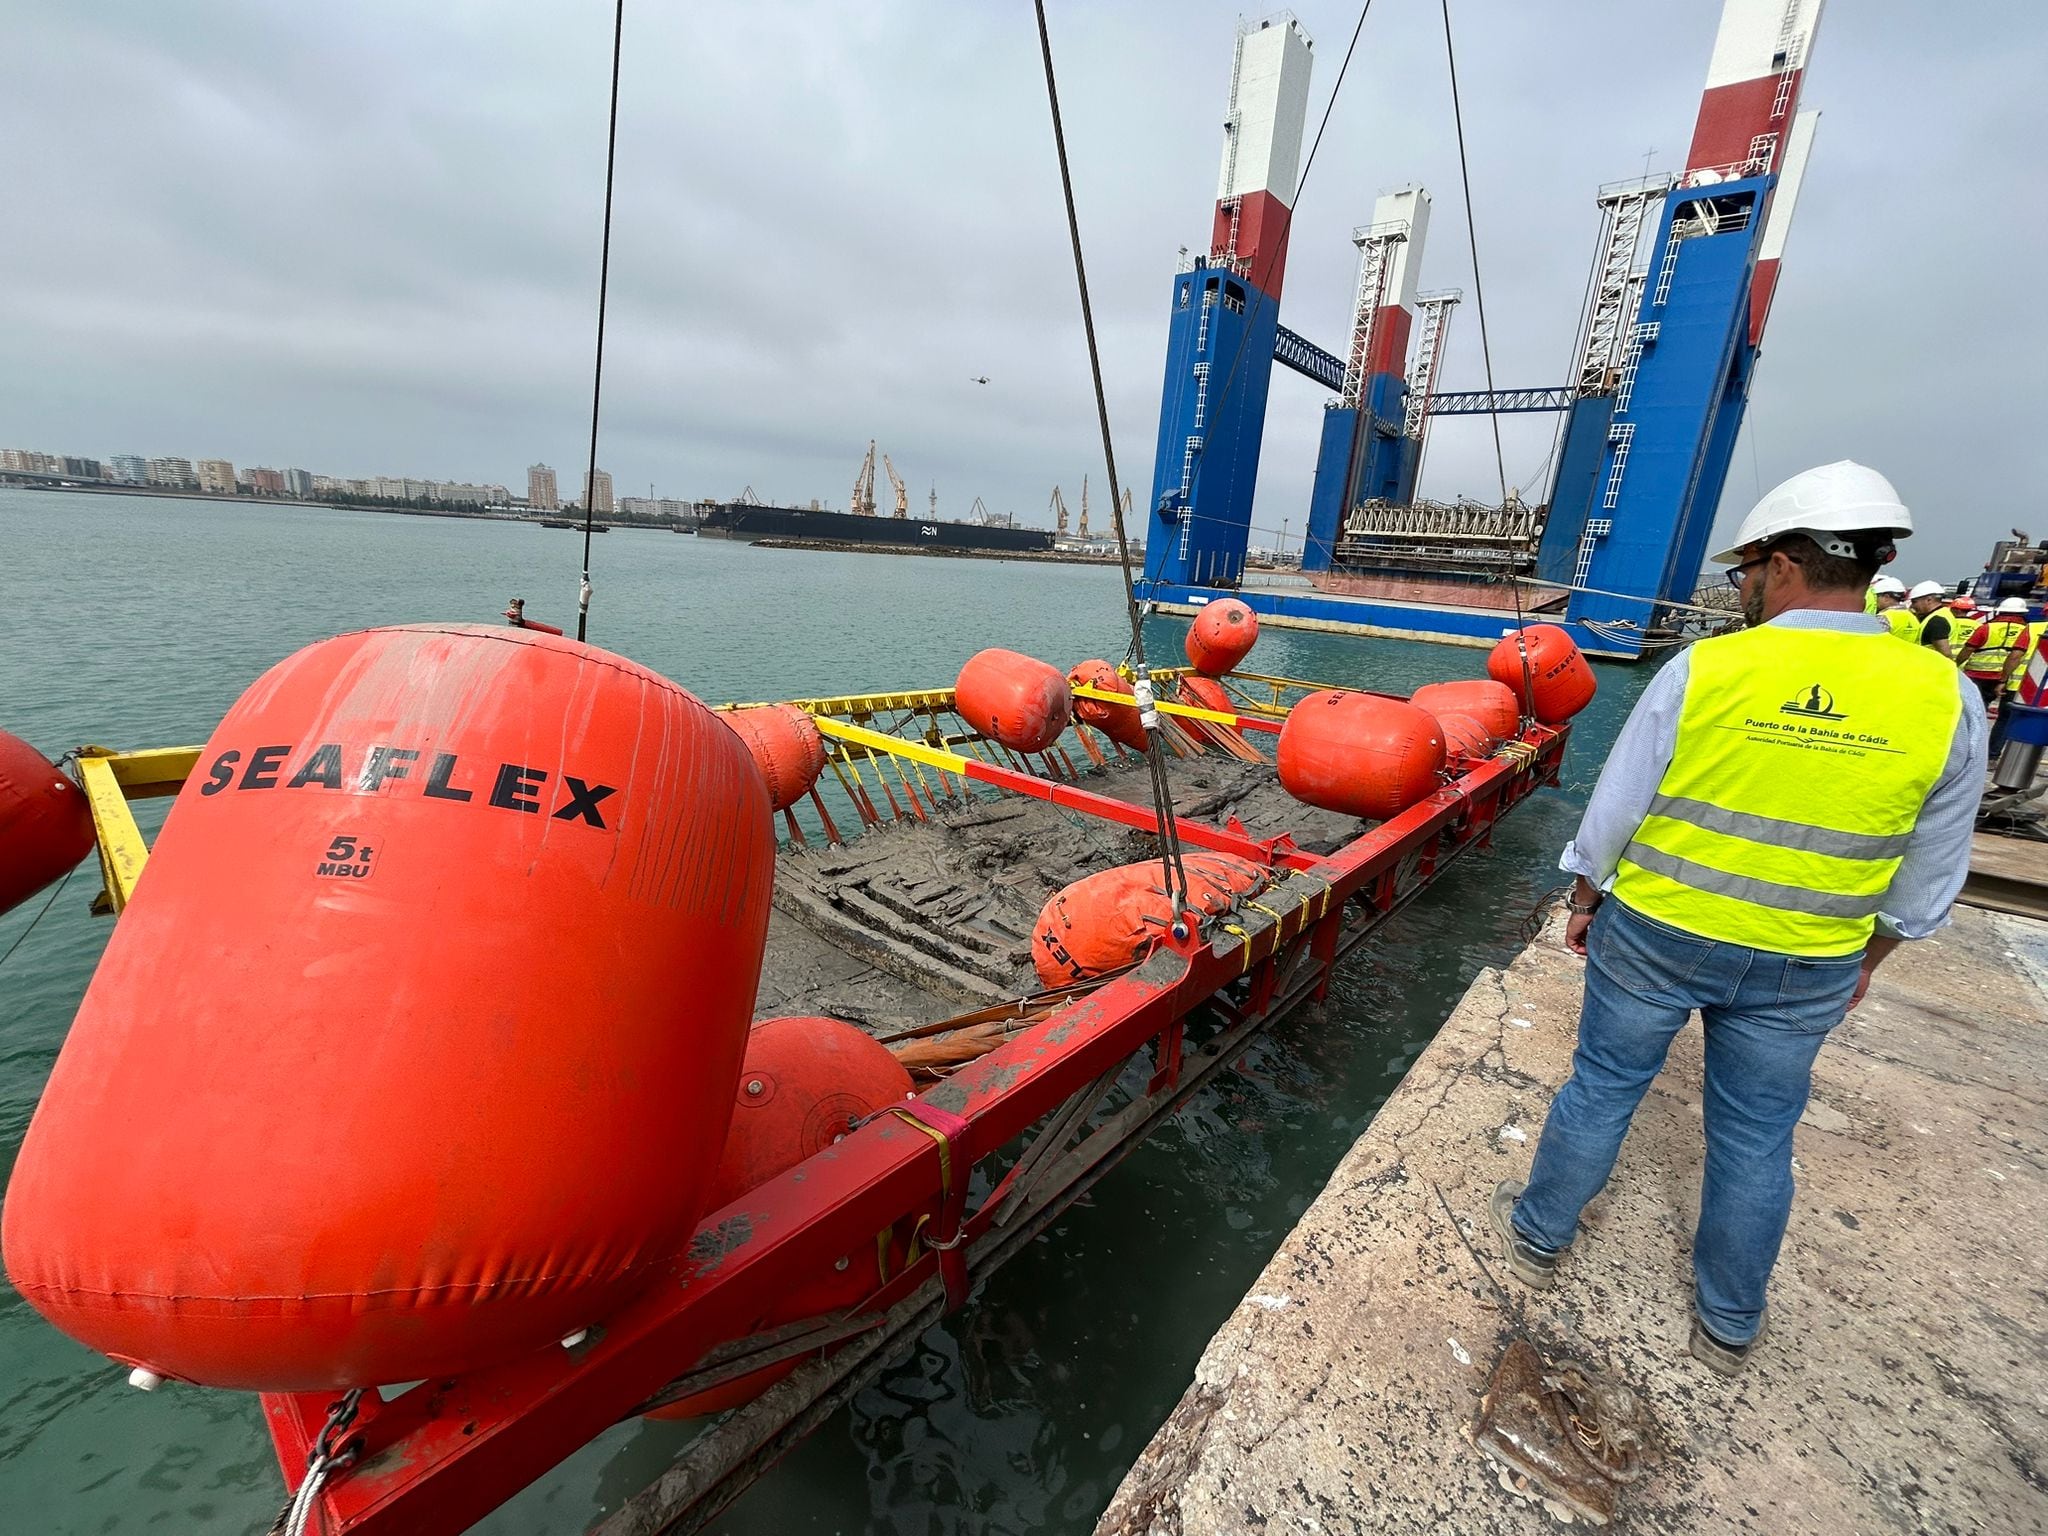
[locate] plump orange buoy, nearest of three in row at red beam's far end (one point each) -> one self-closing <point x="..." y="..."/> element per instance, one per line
<point x="1361" y="755"/>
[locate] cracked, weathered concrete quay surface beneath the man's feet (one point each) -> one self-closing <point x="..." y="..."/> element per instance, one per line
<point x="1906" y="1379"/>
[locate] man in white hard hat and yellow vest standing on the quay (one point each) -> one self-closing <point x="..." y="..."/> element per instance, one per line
<point x="1783" y="808"/>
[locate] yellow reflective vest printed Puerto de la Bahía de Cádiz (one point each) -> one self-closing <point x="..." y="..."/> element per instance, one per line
<point x="1801" y="765"/>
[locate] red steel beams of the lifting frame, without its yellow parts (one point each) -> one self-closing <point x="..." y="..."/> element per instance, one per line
<point x="447" y="1453"/>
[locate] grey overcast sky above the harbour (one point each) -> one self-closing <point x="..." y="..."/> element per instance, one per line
<point x="364" y="239"/>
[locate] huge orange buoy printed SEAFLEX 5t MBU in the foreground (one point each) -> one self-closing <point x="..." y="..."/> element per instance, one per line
<point x="419" y="1043"/>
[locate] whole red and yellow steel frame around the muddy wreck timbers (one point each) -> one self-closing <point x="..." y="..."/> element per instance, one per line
<point x="445" y="1453"/>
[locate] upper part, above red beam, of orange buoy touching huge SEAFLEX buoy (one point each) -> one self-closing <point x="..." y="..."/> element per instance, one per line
<point x="806" y="1084"/>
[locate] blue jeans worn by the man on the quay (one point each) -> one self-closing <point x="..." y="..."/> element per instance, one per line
<point x="1766" y="1017"/>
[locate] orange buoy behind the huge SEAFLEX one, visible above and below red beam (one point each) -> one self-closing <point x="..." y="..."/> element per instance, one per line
<point x="806" y="1084"/>
